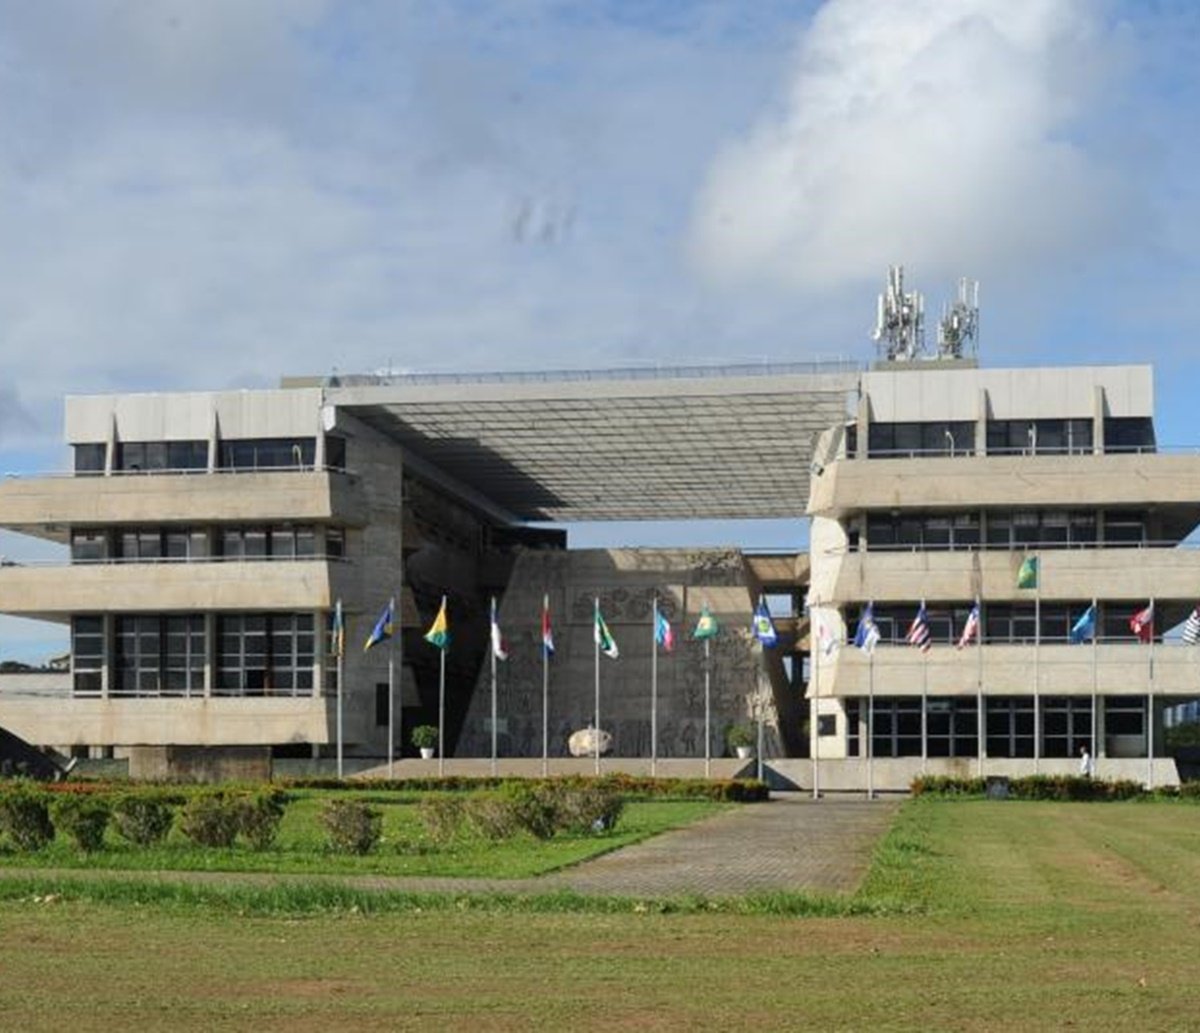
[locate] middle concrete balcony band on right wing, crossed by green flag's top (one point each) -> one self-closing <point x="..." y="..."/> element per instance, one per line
<point x="1066" y="574"/>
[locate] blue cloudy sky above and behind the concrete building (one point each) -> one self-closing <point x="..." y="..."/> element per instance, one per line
<point x="209" y="196"/>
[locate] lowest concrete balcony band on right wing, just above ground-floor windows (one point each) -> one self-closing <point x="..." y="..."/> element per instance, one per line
<point x="1058" y="670"/>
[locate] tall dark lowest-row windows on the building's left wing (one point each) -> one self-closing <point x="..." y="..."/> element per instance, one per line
<point x="153" y="656"/>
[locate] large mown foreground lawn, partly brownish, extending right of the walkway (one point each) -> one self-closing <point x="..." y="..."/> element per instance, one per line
<point x="992" y="916"/>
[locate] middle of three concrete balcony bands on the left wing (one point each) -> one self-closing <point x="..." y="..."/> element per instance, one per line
<point x="56" y="592"/>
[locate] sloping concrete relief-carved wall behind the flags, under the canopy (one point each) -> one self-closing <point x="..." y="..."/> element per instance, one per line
<point x="626" y="581"/>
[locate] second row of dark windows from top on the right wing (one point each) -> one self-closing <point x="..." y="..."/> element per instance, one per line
<point x="1007" y="530"/>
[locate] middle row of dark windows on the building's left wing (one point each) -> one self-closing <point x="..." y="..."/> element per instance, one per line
<point x="283" y="542"/>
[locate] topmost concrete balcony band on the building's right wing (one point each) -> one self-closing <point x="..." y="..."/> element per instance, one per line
<point x="974" y="482"/>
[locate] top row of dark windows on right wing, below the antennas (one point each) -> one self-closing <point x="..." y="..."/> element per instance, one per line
<point x="1004" y="437"/>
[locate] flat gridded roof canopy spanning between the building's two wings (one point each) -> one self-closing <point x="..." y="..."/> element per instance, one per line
<point x="653" y="445"/>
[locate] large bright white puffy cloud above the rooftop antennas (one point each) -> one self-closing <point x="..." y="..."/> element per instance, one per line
<point x="952" y="137"/>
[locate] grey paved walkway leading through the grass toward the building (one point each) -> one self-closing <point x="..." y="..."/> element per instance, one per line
<point x="790" y="844"/>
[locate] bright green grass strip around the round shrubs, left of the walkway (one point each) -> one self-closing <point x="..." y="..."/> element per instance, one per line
<point x="301" y="848"/>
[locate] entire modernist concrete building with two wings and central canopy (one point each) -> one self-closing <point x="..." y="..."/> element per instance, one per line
<point x="212" y="534"/>
